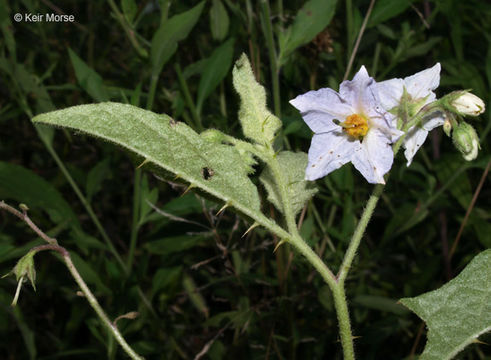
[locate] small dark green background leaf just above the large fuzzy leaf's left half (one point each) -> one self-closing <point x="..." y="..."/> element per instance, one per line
<point x="88" y="78"/>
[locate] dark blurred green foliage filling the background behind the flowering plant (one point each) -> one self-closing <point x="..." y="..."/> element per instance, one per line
<point x="199" y="287"/>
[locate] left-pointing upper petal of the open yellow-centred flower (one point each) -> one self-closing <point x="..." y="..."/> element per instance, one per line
<point x="319" y="108"/>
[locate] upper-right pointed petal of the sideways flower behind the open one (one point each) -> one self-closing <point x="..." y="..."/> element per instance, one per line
<point x="422" y="83"/>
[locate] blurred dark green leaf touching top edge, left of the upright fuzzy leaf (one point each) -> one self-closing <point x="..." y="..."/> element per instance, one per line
<point x="177" y="28"/>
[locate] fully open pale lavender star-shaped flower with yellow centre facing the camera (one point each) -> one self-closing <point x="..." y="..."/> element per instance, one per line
<point x="349" y="126"/>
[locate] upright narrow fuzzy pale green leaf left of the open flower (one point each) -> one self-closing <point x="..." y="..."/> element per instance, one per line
<point x="257" y="122"/>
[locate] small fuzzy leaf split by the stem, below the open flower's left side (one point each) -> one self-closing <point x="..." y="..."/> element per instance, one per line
<point x="299" y="191"/>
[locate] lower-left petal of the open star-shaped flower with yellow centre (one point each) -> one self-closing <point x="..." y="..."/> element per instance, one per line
<point x="328" y="152"/>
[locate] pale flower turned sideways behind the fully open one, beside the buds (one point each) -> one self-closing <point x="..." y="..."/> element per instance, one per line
<point x="420" y="88"/>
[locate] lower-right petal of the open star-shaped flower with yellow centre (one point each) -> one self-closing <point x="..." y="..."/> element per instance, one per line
<point x="375" y="157"/>
